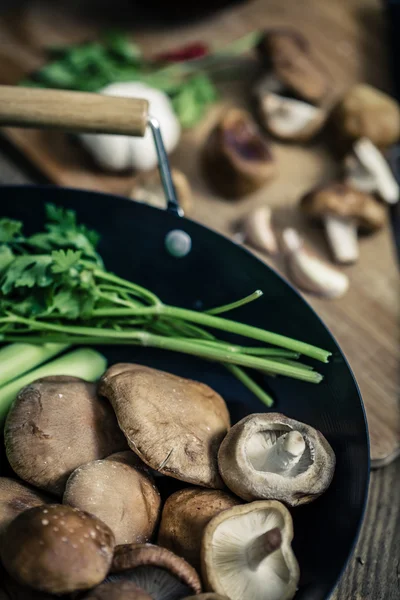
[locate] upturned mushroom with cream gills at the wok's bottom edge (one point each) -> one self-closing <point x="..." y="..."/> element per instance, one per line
<point x="247" y="553"/>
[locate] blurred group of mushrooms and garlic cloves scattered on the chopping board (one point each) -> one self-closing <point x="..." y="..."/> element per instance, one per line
<point x="295" y="99"/>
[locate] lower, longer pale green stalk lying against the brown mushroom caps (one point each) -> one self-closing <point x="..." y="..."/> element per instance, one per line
<point x="85" y="363"/>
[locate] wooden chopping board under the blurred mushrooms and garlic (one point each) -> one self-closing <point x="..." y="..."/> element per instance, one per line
<point x="347" y="36"/>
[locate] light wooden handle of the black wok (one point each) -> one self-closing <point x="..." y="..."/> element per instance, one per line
<point x="72" y="111"/>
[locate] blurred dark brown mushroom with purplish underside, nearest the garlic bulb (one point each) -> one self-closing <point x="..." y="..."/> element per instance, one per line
<point x="237" y="159"/>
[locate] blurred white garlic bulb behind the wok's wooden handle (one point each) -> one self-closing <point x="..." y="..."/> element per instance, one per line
<point x="120" y="152"/>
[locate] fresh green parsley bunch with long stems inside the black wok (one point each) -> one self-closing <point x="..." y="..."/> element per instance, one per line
<point x="54" y="288"/>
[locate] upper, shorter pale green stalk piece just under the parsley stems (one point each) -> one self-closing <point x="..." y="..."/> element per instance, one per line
<point x="17" y="359"/>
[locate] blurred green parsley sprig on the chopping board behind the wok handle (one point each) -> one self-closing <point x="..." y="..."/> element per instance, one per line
<point x="113" y="58"/>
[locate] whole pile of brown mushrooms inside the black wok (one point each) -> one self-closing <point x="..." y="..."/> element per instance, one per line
<point x="96" y="451"/>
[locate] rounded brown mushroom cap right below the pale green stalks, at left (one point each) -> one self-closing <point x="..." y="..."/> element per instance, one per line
<point x="56" y="425"/>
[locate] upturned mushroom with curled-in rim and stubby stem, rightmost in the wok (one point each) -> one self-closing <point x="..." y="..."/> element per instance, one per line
<point x="273" y="457"/>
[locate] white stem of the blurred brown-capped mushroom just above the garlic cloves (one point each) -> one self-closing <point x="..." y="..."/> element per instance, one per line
<point x="342" y="237"/>
